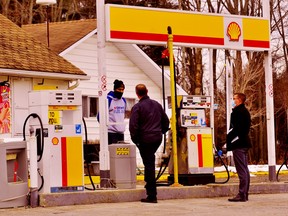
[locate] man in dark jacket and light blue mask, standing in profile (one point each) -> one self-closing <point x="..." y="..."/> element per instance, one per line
<point x="238" y="142"/>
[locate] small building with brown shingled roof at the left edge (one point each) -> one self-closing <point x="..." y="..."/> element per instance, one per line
<point x="25" y="65"/>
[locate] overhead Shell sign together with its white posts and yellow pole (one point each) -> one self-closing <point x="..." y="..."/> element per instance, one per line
<point x="140" y="25"/>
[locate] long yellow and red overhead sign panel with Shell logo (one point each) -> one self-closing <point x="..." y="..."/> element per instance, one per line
<point x="141" y="25"/>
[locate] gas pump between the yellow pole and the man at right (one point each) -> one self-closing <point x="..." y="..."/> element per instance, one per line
<point x="198" y="165"/>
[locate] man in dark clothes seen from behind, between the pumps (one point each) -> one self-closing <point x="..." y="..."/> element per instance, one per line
<point x="148" y="123"/>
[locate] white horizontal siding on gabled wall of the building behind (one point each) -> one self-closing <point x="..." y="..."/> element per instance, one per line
<point x="118" y="66"/>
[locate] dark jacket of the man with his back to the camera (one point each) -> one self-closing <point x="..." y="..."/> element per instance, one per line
<point x="148" y="121"/>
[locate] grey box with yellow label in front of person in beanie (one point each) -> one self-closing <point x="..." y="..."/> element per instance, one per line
<point x="123" y="165"/>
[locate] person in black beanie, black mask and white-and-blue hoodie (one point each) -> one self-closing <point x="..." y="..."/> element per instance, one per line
<point x="116" y="113"/>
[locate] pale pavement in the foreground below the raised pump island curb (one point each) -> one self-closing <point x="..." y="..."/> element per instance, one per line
<point x="258" y="205"/>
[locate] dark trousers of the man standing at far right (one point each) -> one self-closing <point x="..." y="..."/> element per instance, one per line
<point x="240" y="157"/>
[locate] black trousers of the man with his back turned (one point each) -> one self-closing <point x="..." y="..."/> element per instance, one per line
<point x="147" y="152"/>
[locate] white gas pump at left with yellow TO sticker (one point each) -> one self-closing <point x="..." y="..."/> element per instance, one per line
<point x="61" y="165"/>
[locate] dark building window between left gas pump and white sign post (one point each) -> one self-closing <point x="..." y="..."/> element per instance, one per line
<point x="89" y="106"/>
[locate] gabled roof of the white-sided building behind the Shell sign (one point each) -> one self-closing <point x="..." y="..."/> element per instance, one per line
<point x="73" y="31"/>
